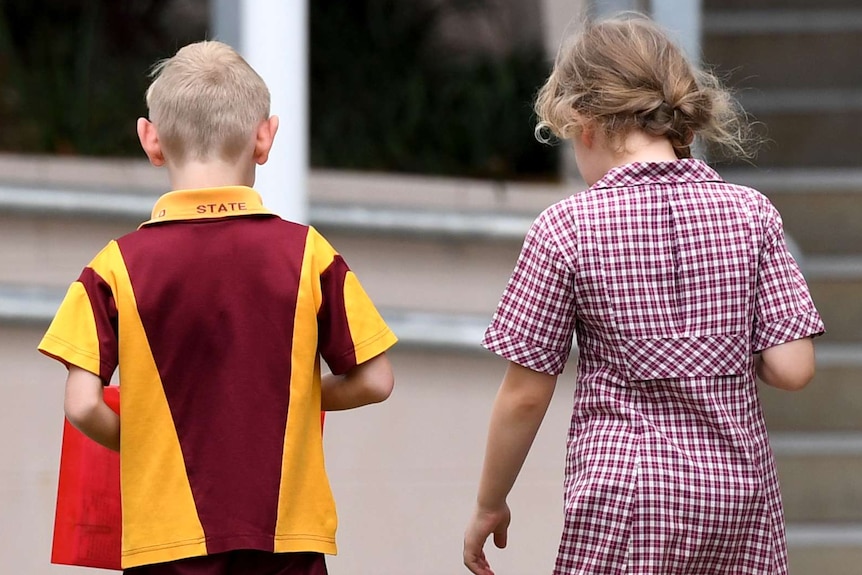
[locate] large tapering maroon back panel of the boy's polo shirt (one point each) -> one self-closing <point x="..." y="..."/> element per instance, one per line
<point x="217" y="300"/>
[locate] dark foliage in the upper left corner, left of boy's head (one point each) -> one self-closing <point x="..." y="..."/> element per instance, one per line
<point x="73" y="72"/>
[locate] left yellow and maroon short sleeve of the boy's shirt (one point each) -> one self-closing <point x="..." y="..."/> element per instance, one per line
<point x="83" y="332"/>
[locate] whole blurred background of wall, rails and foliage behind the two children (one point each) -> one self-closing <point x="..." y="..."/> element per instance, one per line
<point x="418" y="162"/>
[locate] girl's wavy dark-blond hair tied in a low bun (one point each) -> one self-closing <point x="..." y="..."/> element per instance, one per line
<point x="624" y="73"/>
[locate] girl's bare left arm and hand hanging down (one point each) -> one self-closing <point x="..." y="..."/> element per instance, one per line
<point x="518" y="411"/>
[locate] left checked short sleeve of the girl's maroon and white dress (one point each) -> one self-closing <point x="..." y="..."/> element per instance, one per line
<point x="534" y="321"/>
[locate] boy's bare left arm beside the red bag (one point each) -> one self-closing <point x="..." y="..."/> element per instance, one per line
<point x="87" y="411"/>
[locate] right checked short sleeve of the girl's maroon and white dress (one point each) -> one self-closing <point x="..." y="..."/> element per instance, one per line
<point x="783" y="308"/>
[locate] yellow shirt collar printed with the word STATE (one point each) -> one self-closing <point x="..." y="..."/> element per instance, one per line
<point x="207" y="203"/>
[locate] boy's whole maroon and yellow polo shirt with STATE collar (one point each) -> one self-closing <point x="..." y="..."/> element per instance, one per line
<point x="216" y="312"/>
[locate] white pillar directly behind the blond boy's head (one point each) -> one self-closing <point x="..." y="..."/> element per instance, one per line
<point x="272" y="35"/>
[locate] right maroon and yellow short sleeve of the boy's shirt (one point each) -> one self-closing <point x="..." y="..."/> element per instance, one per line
<point x="351" y="330"/>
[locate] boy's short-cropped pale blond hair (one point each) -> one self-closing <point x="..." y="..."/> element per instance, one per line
<point x="206" y="102"/>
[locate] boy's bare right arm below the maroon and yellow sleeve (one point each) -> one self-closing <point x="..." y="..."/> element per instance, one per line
<point x="368" y="382"/>
